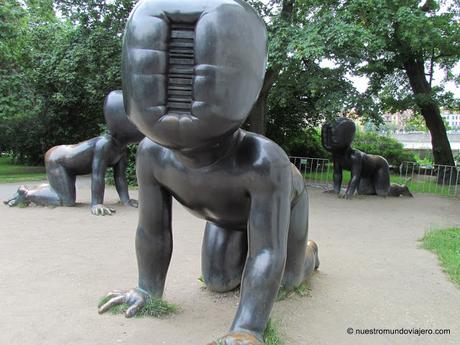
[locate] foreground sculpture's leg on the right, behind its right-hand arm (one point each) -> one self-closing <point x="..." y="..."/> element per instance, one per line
<point x="302" y="255"/>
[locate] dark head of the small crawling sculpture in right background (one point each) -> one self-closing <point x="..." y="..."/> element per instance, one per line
<point x="338" y="135"/>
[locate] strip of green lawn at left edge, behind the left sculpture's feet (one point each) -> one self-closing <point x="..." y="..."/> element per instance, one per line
<point x="10" y="172"/>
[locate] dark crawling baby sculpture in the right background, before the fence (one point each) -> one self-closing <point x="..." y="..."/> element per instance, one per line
<point x="370" y="174"/>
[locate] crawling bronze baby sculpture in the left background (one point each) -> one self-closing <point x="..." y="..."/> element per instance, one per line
<point x="63" y="163"/>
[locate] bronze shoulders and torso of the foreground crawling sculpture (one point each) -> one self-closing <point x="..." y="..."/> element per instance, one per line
<point x="220" y="193"/>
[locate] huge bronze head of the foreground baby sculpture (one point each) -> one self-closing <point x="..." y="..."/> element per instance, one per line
<point x="192" y="69"/>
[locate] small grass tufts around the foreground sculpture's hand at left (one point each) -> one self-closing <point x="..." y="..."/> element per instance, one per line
<point x="153" y="308"/>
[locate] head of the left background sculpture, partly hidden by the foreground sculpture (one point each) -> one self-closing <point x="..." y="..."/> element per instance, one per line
<point x="117" y="121"/>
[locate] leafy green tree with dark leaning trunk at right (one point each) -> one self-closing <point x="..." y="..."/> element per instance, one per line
<point x="397" y="44"/>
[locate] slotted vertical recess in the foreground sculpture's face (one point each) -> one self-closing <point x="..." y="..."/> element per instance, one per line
<point x="181" y="66"/>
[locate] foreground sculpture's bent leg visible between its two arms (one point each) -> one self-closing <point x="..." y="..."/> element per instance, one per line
<point x="223" y="257"/>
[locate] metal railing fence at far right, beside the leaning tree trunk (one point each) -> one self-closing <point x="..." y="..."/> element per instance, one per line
<point x="435" y="178"/>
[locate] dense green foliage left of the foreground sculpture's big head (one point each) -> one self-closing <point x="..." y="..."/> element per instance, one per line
<point x="59" y="71"/>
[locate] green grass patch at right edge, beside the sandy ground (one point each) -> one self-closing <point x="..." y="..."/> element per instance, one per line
<point x="446" y="244"/>
